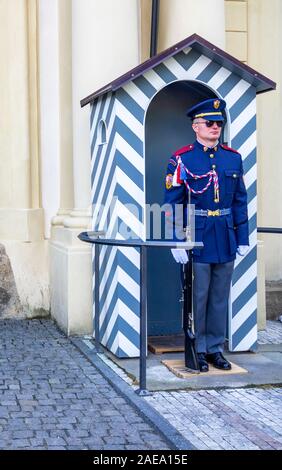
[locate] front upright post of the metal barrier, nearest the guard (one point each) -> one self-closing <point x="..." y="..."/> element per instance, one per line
<point x="143" y="323"/>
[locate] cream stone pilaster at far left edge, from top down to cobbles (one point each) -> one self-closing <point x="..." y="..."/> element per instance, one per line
<point x="21" y="214"/>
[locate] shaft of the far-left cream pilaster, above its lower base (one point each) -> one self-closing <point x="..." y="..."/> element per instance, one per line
<point x="20" y="212"/>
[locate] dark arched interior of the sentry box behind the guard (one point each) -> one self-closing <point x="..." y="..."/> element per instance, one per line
<point x="166" y="129"/>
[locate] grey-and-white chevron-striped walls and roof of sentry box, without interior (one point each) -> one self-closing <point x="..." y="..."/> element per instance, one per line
<point x="118" y="114"/>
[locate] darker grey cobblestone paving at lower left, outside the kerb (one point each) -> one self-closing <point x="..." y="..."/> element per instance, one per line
<point x="51" y="397"/>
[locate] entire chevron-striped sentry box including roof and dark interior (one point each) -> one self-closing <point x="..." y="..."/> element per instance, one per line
<point x="143" y="112"/>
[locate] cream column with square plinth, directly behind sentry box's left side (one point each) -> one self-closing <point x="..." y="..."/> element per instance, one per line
<point x="104" y="45"/>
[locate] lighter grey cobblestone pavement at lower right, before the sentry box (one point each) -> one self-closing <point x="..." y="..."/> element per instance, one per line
<point x="225" y="419"/>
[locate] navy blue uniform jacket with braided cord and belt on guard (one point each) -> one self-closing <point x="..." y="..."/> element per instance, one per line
<point x="221" y="235"/>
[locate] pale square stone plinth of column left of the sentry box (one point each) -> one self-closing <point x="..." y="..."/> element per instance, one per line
<point x="71" y="281"/>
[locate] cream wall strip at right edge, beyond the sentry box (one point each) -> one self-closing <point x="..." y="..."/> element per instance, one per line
<point x="265" y="55"/>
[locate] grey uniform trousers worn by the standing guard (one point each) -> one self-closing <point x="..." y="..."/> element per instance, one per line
<point x="211" y="289"/>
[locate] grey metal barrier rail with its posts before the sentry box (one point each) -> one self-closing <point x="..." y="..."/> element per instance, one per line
<point x="92" y="237"/>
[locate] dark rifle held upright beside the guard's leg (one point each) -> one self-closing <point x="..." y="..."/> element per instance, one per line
<point x="191" y="358"/>
